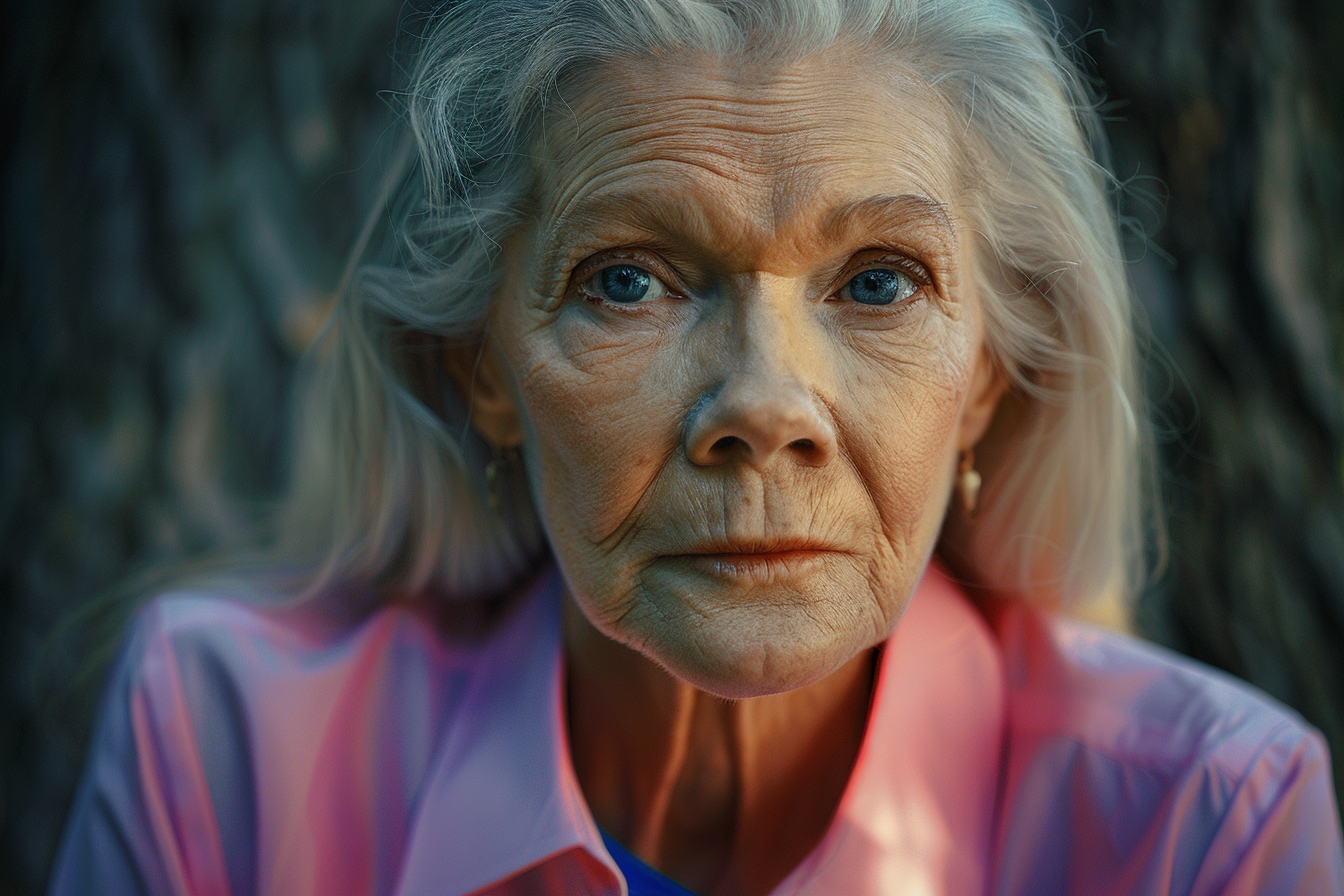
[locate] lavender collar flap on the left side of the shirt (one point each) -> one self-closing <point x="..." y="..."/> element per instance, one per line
<point x="502" y="796"/>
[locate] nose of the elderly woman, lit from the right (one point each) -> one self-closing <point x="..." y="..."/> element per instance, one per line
<point x="764" y="409"/>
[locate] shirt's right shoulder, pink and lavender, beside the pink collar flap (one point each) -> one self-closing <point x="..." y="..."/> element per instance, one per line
<point x="1131" y="758"/>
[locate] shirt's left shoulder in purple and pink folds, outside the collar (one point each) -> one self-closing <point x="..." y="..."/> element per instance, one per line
<point x="233" y="730"/>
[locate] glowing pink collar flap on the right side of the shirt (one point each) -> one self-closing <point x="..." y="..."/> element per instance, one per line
<point x="917" y="816"/>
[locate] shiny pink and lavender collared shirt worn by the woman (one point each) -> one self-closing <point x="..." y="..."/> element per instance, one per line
<point x="264" y="752"/>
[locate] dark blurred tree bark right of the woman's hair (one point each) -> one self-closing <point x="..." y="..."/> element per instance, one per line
<point x="1237" y="109"/>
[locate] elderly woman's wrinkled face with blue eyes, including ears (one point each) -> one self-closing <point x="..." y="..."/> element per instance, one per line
<point x="743" y="353"/>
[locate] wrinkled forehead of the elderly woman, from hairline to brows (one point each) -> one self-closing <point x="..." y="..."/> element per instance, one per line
<point x="747" y="143"/>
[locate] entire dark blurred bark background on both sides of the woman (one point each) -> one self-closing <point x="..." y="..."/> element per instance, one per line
<point x="182" y="183"/>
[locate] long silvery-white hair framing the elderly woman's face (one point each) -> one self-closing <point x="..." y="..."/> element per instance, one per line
<point x="388" y="482"/>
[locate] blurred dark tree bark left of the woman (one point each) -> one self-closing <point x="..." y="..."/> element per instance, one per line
<point x="182" y="185"/>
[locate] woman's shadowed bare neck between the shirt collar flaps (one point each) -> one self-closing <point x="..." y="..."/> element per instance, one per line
<point x="724" y="797"/>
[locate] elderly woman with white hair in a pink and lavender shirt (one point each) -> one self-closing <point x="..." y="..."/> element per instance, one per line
<point x="689" y="499"/>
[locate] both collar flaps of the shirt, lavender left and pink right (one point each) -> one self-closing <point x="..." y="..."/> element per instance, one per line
<point x="503" y="799"/>
